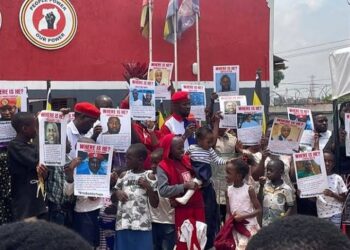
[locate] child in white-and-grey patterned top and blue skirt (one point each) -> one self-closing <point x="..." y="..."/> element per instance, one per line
<point x="134" y="229"/>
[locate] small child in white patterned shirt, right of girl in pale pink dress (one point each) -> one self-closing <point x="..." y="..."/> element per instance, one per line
<point x="275" y="195"/>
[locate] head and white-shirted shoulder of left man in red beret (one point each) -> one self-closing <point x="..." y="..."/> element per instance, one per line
<point x="86" y="114"/>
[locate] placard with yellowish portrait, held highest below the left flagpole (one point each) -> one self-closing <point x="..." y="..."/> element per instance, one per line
<point x="160" y="73"/>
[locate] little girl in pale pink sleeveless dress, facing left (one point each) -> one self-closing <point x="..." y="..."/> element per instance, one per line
<point x="241" y="200"/>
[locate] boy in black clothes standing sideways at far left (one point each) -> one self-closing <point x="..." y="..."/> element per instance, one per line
<point x="23" y="159"/>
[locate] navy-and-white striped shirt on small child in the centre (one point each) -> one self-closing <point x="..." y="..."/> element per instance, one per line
<point x="205" y="156"/>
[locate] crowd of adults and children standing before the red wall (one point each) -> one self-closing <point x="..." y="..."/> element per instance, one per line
<point x="177" y="185"/>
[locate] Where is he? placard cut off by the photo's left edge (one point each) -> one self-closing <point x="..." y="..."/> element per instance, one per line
<point x="11" y="102"/>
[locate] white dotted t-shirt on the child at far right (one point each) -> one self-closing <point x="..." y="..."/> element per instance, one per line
<point x="328" y="206"/>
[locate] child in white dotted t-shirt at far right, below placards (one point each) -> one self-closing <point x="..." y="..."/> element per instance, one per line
<point x="330" y="203"/>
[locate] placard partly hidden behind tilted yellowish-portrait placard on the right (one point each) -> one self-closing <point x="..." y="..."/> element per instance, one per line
<point x="304" y="115"/>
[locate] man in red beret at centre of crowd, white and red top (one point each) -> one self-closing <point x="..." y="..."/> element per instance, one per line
<point x="178" y="123"/>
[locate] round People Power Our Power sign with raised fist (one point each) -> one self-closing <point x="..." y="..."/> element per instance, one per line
<point x="48" y="24"/>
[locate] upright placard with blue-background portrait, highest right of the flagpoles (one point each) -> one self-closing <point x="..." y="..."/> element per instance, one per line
<point x="226" y="79"/>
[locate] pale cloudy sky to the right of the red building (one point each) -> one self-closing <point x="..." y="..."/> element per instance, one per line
<point x="320" y="25"/>
